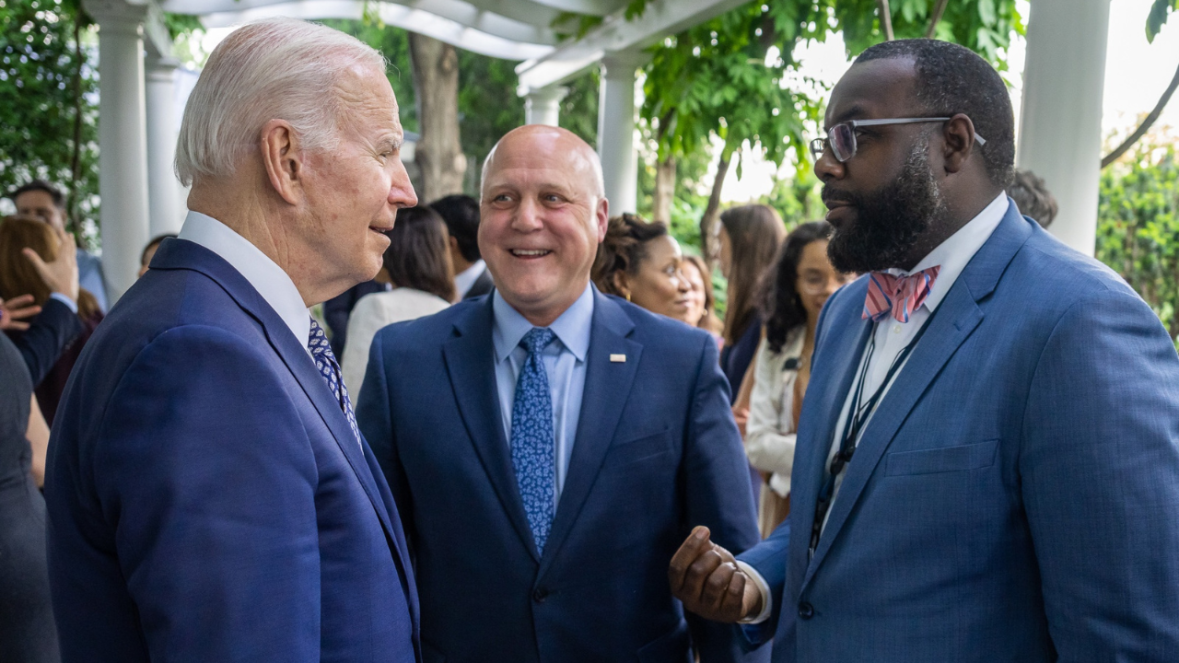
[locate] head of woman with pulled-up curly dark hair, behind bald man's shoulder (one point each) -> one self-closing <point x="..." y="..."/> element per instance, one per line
<point x="642" y="262"/>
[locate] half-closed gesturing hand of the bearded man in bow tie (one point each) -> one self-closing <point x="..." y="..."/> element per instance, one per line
<point x="707" y="580"/>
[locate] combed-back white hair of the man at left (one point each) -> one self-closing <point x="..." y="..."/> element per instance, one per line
<point x="278" y="69"/>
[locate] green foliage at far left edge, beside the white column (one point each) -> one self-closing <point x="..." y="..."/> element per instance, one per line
<point x="45" y="82"/>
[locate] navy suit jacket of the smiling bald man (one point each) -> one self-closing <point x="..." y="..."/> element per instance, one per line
<point x="656" y="454"/>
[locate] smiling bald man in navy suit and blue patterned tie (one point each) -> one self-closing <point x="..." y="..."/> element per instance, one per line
<point x="548" y="447"/>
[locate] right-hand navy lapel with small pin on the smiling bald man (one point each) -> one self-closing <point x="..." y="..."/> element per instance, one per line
<point x="607" y="391"/>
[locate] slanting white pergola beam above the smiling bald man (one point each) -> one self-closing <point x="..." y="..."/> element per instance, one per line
<point x="661" y="19"/>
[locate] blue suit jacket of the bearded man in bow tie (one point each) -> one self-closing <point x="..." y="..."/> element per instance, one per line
<point x="1016" y="496"/>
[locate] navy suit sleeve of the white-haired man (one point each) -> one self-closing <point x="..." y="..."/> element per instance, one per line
<point x="205" y="470"/>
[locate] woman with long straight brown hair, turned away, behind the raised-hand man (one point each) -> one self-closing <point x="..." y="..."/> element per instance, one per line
<point x="748" y="240"/>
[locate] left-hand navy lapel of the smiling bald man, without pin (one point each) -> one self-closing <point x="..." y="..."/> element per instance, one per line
<point x="470" y="362"/>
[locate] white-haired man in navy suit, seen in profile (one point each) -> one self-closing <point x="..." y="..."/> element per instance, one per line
<point x="209" y="495"/>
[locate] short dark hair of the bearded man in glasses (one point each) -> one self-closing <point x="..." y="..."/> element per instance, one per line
<point x="954" y="80"/>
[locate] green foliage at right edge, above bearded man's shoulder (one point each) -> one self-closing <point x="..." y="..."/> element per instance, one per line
<point x="1138" y="228"/>
